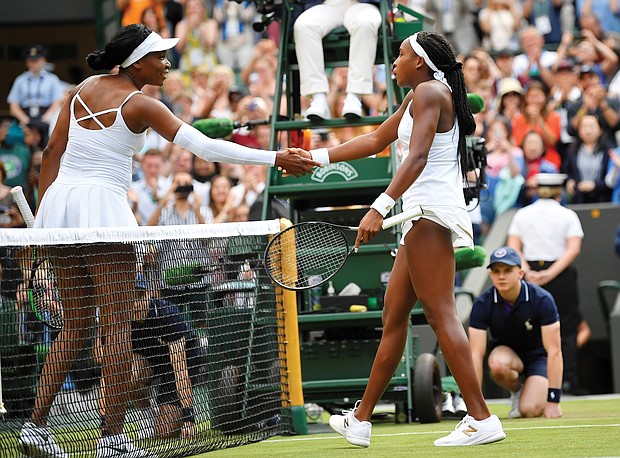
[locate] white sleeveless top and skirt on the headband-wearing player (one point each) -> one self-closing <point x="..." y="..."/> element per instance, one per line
<point x="439" y="188"/>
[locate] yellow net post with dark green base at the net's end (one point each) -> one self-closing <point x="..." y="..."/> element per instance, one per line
<point x="291" y="337"/>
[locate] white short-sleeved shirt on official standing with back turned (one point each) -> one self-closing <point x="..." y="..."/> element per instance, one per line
<point x="544" y="227"/>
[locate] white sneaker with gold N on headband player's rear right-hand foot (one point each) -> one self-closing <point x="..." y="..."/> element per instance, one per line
<point x="474" y="432"/>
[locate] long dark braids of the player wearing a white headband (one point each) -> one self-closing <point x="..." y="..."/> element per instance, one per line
<point x="440" y="52"/>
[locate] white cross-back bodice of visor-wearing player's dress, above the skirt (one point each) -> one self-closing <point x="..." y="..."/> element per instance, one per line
<point x="102" y="156"/>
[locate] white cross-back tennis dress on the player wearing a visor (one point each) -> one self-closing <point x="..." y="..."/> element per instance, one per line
<point x="94" y="175"/>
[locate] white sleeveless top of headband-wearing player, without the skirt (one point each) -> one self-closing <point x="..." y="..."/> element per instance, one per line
<point x="440" y="183"/>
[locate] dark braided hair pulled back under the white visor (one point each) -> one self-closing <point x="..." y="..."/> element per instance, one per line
<point x="120" y="46"/>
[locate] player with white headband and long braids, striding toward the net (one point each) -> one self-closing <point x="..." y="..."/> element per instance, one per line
<point x="431" y="125"/>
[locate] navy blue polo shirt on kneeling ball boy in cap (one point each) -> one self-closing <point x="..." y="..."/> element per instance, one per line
<point x="517" y="327"/>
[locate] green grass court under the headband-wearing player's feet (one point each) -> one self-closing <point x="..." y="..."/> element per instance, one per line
<point x="587" y="428"/>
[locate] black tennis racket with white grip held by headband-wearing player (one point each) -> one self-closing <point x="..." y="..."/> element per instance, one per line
<point x="308" y="254"/>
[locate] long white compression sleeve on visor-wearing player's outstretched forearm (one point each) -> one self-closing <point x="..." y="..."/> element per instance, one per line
<point x="213" y="150"/>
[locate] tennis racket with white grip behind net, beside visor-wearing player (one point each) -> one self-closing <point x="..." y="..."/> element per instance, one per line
<point x="42" y="287"/>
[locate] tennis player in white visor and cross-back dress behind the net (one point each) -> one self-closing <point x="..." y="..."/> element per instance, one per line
<point x="85" y="175"/>
